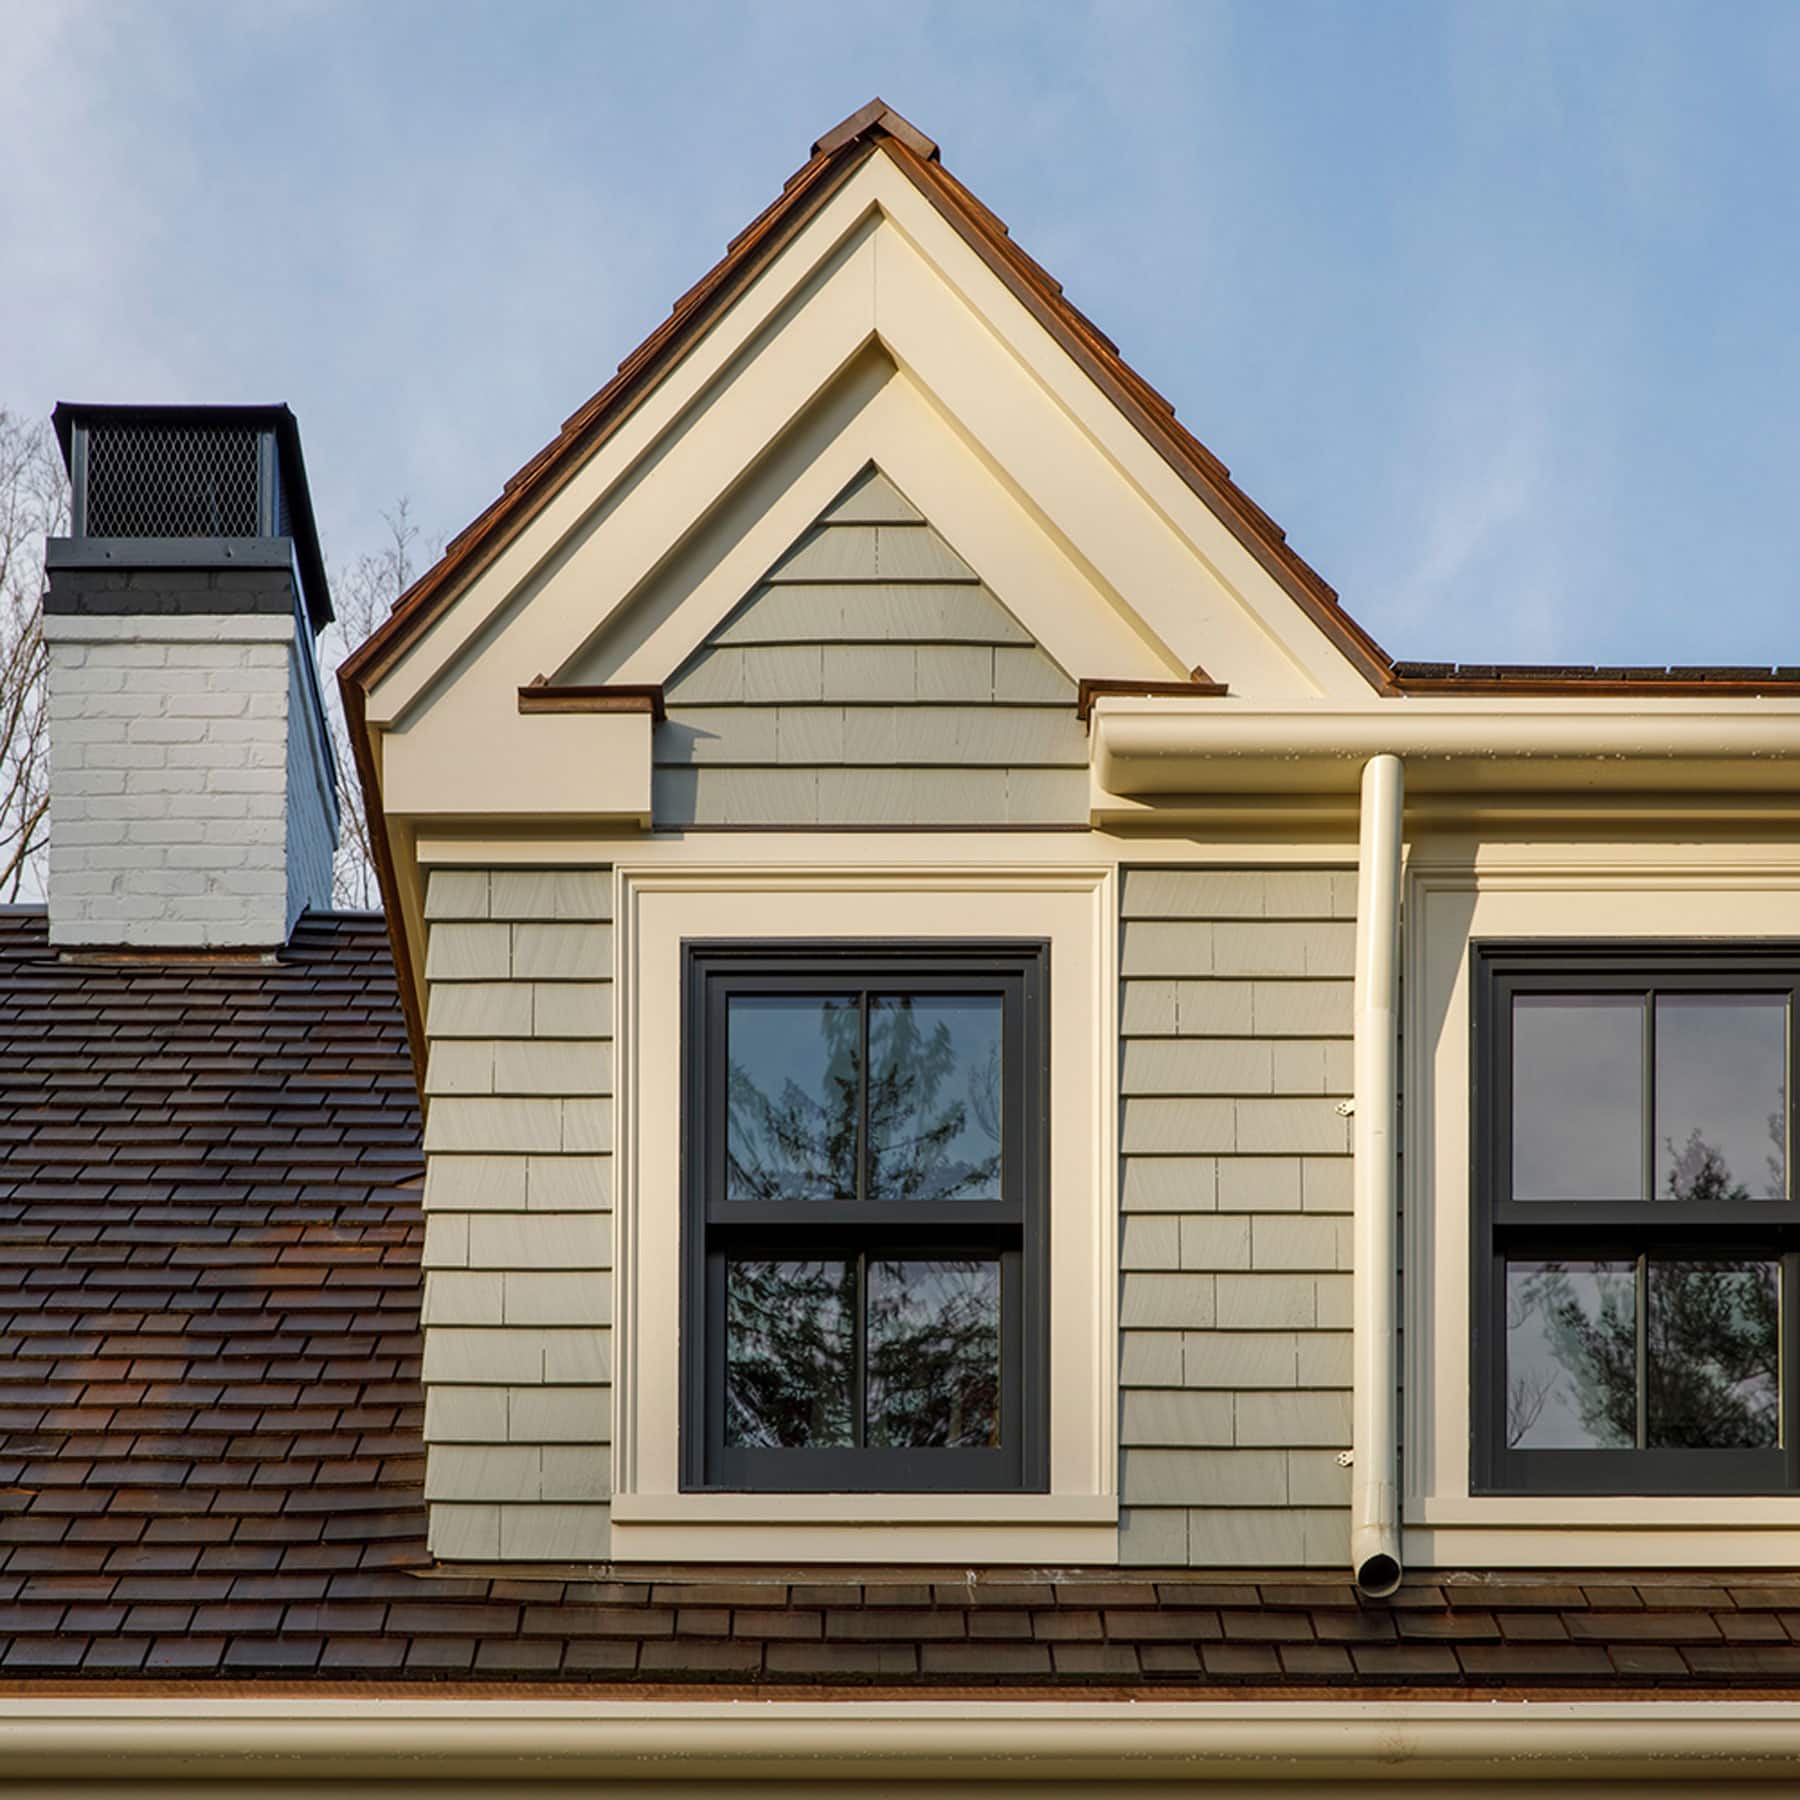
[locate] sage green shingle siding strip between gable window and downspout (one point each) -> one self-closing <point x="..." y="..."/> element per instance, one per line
<point x="1236" y="1248"/>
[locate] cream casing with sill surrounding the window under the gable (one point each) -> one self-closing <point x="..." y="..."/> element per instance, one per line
<point x="1074" y="910"/>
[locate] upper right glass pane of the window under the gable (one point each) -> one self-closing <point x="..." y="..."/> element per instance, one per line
<point x="935" y="1099"/>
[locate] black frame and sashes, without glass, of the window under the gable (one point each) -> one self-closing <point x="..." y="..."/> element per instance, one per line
<point x="1014" y="1228"/>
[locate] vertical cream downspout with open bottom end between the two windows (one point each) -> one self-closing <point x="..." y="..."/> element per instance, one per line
<point x="1374" y="1475"/>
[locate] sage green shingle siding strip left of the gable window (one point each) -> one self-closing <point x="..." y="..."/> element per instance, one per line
<point x="517" y="1212"/>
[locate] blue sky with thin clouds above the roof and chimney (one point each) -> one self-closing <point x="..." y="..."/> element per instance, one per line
<point x="1495" y="307"/>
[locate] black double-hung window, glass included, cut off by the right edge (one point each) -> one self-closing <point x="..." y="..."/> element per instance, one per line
<point x="1637" y="1237"/>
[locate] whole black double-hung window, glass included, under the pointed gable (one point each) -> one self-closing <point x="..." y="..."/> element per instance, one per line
<point x="865" y="1218"/>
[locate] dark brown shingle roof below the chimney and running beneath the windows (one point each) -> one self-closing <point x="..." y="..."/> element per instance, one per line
<point x="210" y="1423"/>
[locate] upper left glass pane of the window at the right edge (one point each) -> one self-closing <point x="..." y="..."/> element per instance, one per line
<point x="1578" y="1097"/>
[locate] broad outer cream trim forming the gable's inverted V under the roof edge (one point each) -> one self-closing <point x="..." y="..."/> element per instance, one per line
<point x="879" y="265"/>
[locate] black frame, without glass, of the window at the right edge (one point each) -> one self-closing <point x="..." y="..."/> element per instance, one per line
<point x="1504" y="1228"/>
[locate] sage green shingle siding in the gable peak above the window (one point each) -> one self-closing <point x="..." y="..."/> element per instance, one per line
<point x="870" y="679"/>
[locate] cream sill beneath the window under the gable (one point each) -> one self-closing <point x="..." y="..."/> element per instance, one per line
<point x="987" y="1529"/>
